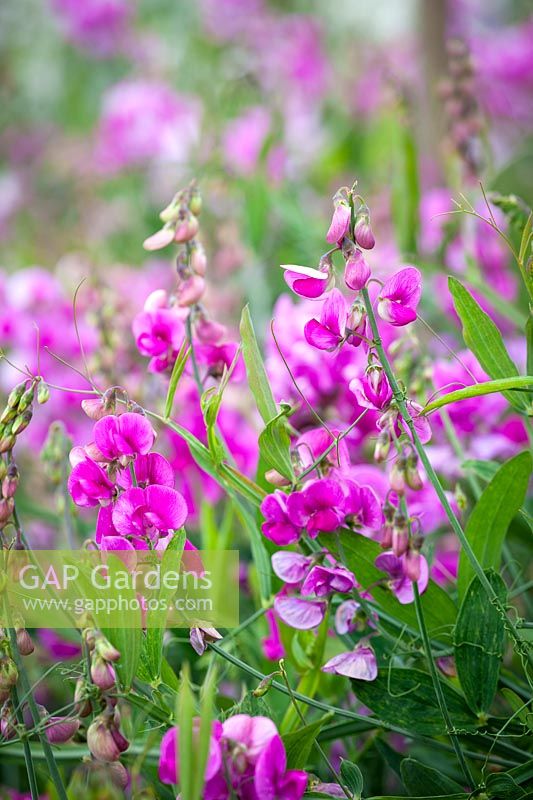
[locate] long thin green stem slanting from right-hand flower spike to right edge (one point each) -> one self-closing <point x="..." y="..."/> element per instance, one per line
<point x="434" y="480"/>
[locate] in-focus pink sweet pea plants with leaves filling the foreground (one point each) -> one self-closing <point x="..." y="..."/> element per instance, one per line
<point x="383" y="645"/>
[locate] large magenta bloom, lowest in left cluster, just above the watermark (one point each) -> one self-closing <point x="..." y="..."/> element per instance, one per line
<point x="149" y="513"/>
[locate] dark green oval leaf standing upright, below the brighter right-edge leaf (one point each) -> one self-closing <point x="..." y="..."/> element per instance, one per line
<point x="479" y="641"/>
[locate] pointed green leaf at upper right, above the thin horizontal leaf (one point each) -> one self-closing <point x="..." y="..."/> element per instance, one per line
<point x="484" y="339"/>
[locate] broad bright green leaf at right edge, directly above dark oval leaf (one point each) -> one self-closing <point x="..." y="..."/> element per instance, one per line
<point x="491" y="516"/>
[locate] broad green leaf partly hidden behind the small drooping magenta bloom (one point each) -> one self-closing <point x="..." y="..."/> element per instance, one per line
<point x="359" y="554"/>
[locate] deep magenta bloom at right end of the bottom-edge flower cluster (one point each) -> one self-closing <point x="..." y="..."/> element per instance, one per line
<point x="272" y="780"/>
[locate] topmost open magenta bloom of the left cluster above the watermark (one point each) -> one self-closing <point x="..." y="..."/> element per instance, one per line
<point x="123" y="437"/>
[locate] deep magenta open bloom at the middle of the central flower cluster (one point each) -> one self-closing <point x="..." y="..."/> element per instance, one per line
<point x="318" y="507"/>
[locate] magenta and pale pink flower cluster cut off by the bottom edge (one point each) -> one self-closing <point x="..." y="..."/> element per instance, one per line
<point x="246" y="760"/>
